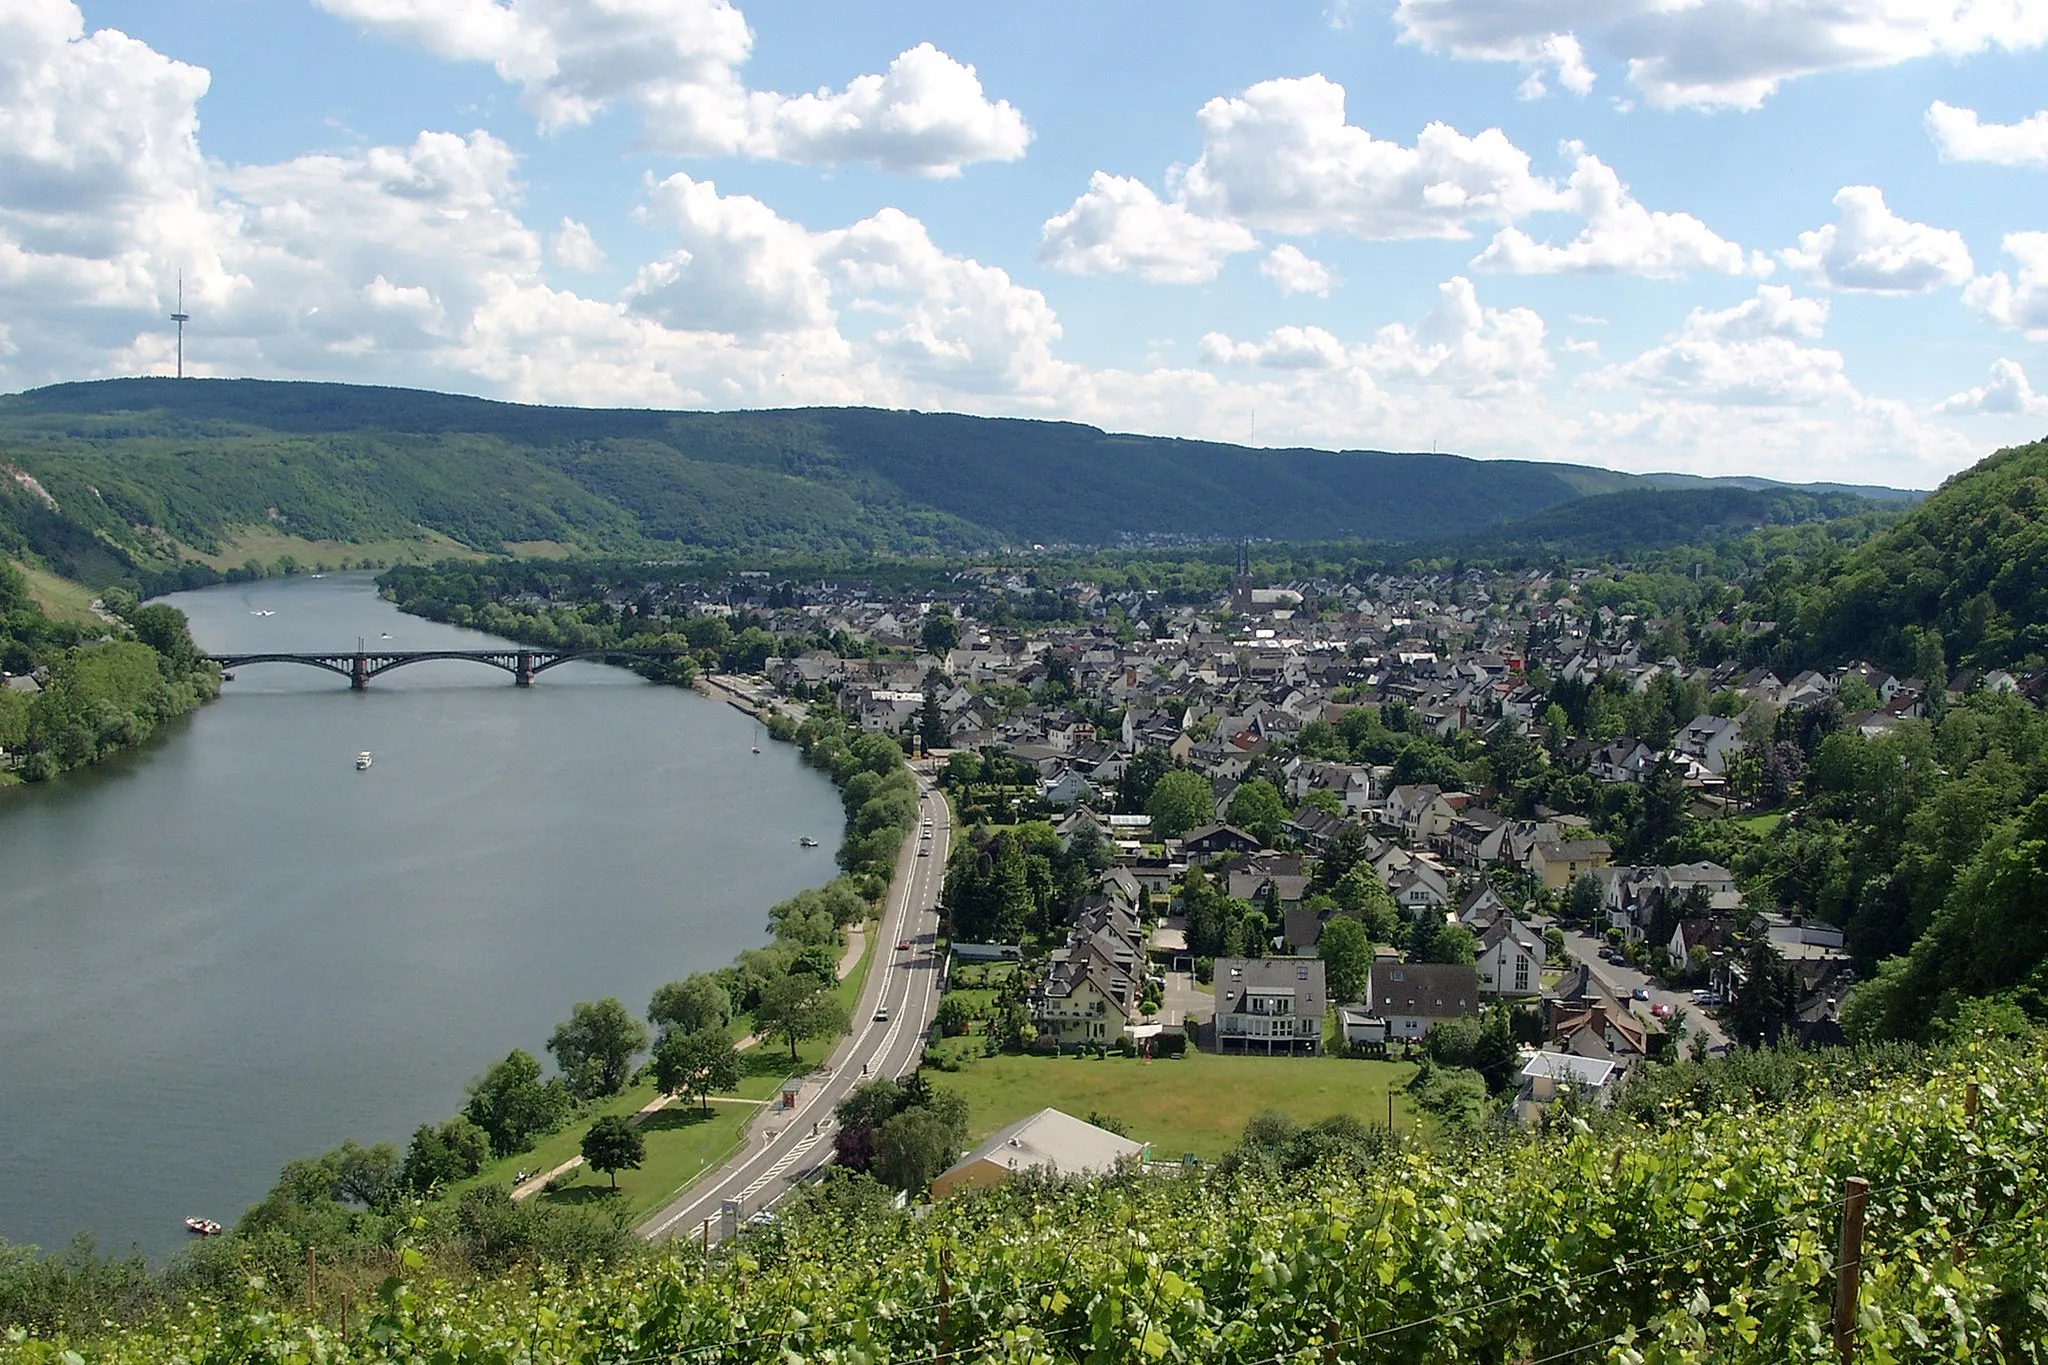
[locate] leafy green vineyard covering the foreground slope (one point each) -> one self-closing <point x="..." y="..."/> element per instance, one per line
<point x="1705" y="1237"/>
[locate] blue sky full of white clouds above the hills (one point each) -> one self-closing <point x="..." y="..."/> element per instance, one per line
<point x="1787" y="238"/>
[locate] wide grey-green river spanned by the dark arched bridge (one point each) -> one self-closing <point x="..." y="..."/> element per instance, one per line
<point x="232" y="949"/>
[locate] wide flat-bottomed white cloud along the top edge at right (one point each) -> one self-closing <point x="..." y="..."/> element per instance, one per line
<point x="1721" y="54"/>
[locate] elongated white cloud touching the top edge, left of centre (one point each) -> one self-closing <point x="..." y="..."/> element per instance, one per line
<point x="677" y="64"/>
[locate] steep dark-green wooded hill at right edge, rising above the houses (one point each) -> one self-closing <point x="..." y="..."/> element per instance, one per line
<point x="1967" y="574"/>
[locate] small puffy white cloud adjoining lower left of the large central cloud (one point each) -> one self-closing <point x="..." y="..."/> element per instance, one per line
<point x="1121" y="226"/>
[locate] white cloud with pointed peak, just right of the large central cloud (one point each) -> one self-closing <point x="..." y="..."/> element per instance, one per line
<point x="1621" y="236"/>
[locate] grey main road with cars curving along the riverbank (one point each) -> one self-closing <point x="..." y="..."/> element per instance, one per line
<point x="787" y="1147"/>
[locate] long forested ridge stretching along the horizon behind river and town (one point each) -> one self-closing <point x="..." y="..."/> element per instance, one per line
<point x="146" y="470"/>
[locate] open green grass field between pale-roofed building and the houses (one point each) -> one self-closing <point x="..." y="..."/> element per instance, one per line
<point x="1193" y="1104"/>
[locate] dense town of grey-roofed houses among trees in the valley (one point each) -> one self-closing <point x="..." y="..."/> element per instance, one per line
<point x="1498" y="787"/>
